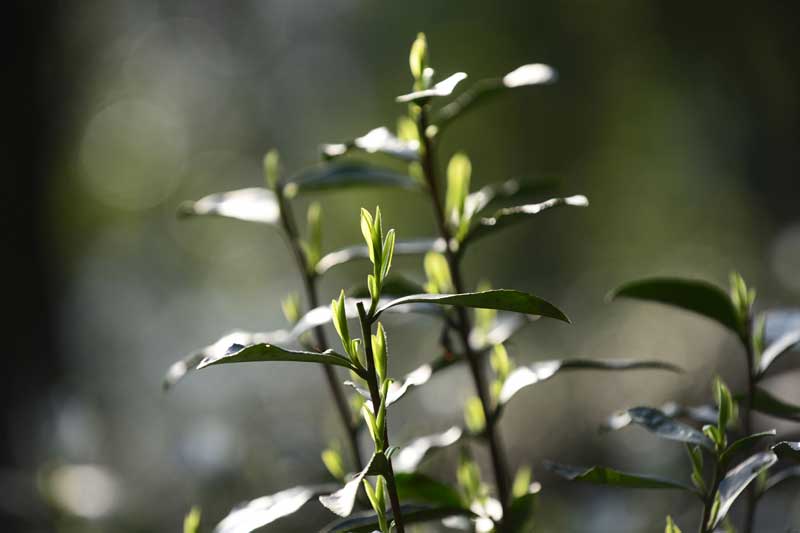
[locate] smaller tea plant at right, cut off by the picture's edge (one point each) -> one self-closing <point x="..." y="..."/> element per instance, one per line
<point x="726" y="482"/>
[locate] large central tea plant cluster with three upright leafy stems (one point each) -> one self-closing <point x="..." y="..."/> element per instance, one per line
<point x="475" y="323"/>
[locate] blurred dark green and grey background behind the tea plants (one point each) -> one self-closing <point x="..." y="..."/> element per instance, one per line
<point x="679" y="120"/>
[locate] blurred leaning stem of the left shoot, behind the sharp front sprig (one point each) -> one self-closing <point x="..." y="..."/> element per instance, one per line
<point x="312" y="298"/>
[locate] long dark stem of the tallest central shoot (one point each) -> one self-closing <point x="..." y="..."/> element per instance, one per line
<point x="463" y="325"/>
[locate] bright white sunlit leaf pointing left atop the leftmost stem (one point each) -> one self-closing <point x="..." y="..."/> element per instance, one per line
<point x="254" y="204"/>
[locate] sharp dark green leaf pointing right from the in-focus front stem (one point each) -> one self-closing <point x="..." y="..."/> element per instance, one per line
<point x="500" y="299"/>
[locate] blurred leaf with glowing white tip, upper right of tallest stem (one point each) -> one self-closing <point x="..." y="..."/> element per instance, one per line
<point x="526" y="75"/>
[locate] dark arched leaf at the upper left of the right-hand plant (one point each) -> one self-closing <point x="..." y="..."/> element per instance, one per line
<point x="692" y="295"/>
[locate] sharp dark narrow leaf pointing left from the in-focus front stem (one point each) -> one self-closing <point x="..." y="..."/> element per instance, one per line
<point x="262" y="352"/>
